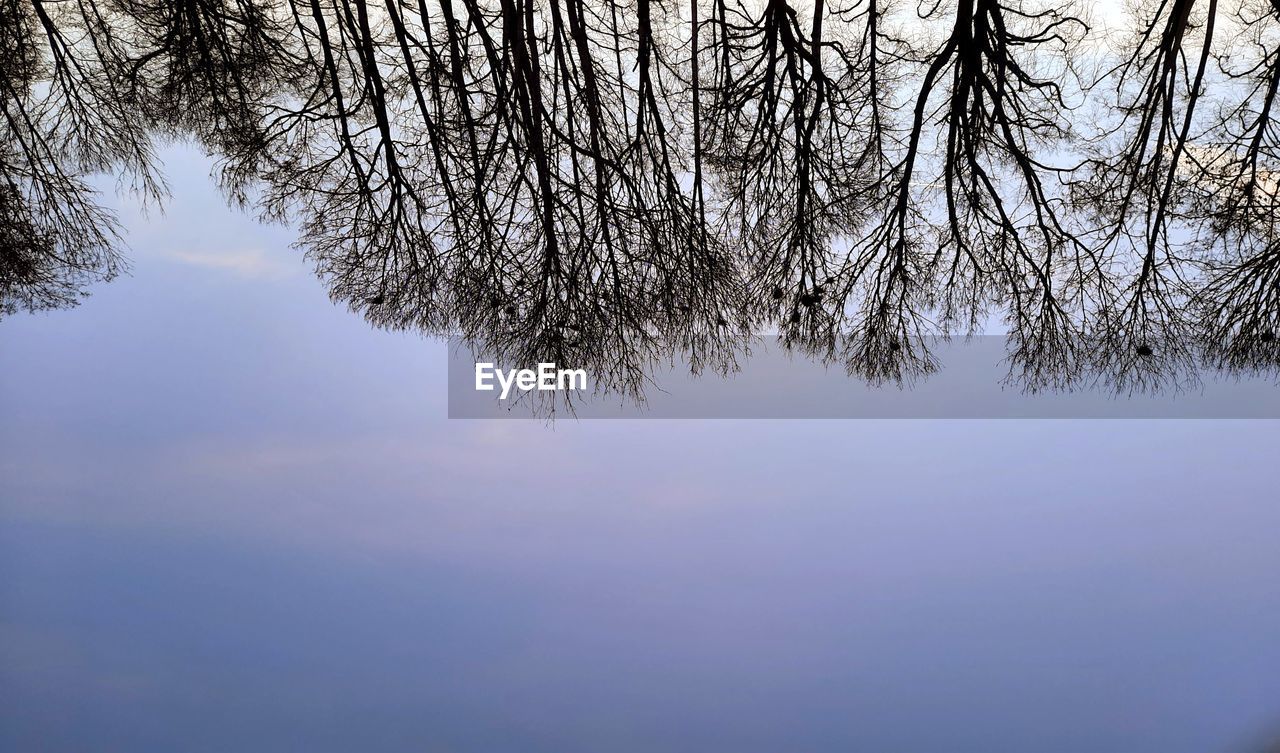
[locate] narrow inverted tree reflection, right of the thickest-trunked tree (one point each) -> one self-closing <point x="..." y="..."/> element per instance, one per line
<point x="1139" y="191"/>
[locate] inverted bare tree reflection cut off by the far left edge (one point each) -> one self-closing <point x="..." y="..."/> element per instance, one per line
<point x="66" y="115"/>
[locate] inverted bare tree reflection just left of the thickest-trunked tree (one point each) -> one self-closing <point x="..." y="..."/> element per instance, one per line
<point x="796" y="139"/>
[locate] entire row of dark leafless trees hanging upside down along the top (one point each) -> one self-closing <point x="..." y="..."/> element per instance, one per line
<point x="610" y="184"/>
